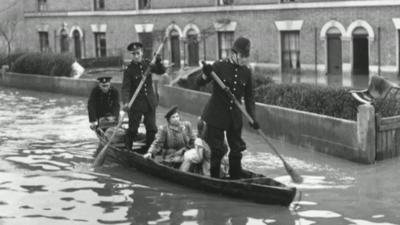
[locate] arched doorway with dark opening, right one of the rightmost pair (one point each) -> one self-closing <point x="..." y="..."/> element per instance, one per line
<point x="360" y="51"/>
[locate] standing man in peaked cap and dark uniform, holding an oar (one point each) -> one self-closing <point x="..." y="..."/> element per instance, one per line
<point x="146" y="101"/>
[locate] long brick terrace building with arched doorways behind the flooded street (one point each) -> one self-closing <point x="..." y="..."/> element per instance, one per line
<point x="291" y="36"/>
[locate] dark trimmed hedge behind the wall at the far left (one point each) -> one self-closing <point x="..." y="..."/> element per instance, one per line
<point x="44" y="64"/>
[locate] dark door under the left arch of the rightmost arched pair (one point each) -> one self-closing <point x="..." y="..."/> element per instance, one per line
<point x="334" y="54"/>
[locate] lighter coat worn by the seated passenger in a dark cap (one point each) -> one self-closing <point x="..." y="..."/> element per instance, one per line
<point x="172" y="137"/>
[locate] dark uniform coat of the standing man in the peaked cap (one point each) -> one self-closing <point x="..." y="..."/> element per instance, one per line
<point x="146" y="99"/>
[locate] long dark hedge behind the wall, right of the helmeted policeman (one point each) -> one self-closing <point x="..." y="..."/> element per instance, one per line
<point x="325" y="100"/>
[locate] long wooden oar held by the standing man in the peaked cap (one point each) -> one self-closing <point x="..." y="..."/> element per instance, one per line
<point x="100" y="157"/>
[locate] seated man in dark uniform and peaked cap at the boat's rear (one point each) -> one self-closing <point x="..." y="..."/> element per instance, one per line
<point x="103" y="104"/>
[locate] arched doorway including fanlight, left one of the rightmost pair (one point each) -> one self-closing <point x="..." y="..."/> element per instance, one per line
<point x="334" y="51"/>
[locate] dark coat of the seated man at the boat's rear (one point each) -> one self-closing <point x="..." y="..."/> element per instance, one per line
<point x="102" y="104"/>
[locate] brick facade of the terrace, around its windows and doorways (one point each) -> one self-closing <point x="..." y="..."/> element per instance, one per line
<point x="259" y="26"/>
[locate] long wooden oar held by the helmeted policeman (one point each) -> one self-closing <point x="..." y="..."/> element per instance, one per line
<point x="296" y="178"/>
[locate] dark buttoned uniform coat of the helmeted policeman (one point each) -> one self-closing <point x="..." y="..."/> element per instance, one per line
<point x="221" y="111"/>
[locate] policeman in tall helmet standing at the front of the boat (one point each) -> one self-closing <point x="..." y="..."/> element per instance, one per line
<point x="221" y="114"/>
